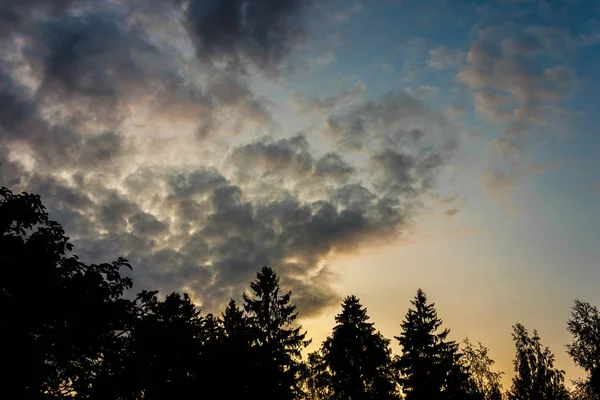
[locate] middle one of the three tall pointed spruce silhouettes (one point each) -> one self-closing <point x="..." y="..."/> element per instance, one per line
<point x="357" y="358"/>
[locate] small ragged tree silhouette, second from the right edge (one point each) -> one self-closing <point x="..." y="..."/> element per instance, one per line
<point x="535" y="376"/>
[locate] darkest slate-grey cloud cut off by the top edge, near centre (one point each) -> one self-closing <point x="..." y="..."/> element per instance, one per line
<point x="258" y="32"/>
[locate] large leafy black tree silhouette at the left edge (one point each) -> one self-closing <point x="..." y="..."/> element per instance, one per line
<point x="59" y="315"/>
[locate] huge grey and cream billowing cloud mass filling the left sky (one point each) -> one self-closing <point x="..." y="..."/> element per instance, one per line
<point x="140" y="125"/>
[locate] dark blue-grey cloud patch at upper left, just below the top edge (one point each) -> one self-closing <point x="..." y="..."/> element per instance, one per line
<point x="95" y="55"/>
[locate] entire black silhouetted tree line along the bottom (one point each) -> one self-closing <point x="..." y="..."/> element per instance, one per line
<point x="70" y="331"/>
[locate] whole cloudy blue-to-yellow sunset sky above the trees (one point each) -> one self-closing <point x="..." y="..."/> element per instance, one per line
<point x="357" y="147"/>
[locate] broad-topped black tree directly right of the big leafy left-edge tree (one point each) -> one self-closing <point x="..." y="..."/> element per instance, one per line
<point x="164" y="349"/>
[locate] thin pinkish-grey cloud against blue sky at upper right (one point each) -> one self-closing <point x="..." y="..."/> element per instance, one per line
<point x="518" y="82"/>
